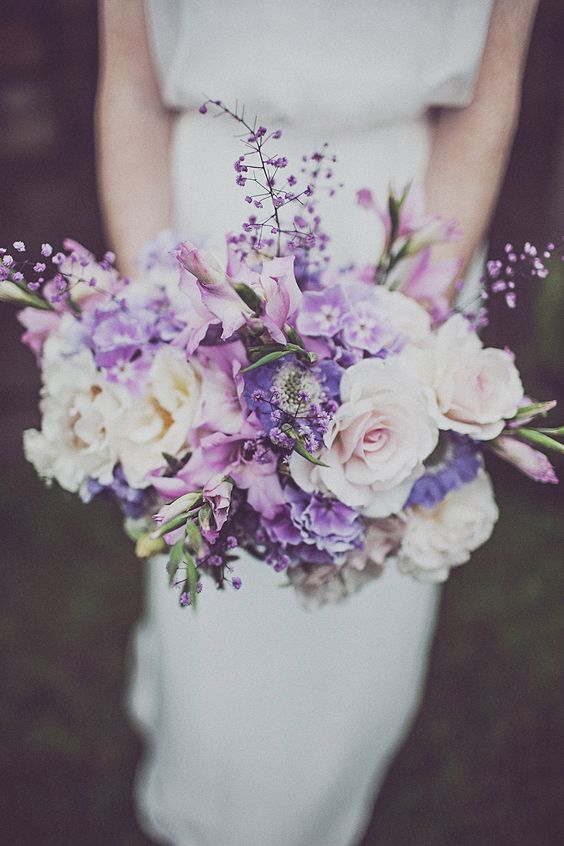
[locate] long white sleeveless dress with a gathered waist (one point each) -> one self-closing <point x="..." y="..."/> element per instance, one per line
<point x="268" y="723"/>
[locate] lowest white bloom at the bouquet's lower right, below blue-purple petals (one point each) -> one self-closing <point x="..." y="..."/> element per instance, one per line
<point x="439" y="538"/>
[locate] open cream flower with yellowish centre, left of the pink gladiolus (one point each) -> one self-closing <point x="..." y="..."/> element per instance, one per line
<point x="159" y="419"/>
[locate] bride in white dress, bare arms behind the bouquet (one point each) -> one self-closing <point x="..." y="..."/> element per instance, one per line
<point x="268" y="724"/>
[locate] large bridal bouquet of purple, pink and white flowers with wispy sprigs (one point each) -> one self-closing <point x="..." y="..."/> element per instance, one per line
<point x="331" y="421"/>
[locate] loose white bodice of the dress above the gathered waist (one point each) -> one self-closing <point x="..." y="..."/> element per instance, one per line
<point x="332" y="64"/>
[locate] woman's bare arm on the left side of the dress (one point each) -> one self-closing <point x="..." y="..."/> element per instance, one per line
<point x="133" y="133"/>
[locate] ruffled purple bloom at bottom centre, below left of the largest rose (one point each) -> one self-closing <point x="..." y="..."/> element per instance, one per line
<point x="315" y="528"/>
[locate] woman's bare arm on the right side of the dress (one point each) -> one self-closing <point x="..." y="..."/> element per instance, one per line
<point x="471" y="146"/>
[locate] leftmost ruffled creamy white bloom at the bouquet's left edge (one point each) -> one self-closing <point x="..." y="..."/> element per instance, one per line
<point x="79" y="416"/>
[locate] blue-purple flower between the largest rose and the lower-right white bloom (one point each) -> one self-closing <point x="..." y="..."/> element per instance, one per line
<point x="454" y="463"/>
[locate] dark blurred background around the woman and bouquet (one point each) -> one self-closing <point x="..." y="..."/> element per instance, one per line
<point x="484" y="763"/>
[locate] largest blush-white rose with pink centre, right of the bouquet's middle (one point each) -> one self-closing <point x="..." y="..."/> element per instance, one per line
<point x="377" y="441"/>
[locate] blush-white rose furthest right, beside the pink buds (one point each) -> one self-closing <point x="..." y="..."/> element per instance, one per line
<point x="475" y="388"/>
